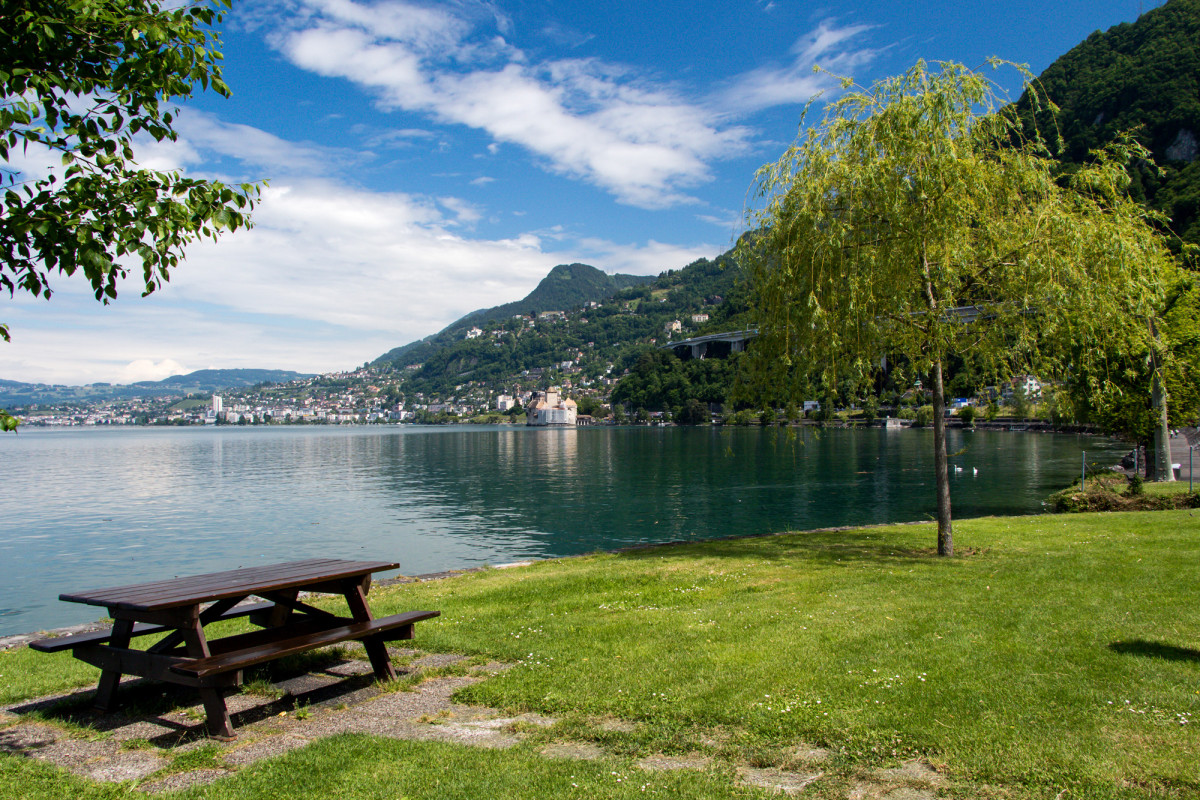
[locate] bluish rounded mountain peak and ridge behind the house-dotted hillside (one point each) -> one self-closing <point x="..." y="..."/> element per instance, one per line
<point x="568" y="286"/>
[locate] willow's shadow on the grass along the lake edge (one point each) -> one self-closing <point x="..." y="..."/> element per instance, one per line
<point x="823" y="548"/>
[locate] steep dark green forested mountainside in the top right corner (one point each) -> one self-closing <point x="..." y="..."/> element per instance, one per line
<point x="1142" y="77"/>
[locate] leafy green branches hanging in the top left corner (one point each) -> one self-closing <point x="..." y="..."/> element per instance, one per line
<point x="81" y="80"/>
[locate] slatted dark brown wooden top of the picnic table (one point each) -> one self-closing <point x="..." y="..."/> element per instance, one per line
<point x="196" y="590"/>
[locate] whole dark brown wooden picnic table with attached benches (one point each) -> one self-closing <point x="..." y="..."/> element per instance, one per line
<point x="181" y="609"/>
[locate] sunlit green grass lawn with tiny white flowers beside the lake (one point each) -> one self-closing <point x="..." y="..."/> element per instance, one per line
<point x="1057" y="657"/>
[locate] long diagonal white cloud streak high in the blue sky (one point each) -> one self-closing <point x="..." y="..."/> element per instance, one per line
<point x="585" y="119"/>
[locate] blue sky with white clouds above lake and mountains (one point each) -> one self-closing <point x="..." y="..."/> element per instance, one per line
<point x="430" y="159"/>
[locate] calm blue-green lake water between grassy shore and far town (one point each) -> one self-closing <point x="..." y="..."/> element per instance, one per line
<point x="85" y="509"/>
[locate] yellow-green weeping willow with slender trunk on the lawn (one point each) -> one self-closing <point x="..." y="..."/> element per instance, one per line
<point x="919" y="219"/>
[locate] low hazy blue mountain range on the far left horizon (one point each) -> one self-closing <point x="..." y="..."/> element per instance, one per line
<point x="16" y="394"/>
